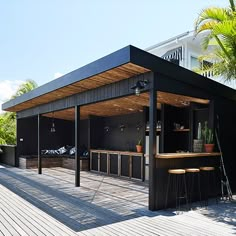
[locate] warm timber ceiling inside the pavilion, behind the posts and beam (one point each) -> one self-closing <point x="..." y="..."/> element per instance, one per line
<point x="126" y="105"/>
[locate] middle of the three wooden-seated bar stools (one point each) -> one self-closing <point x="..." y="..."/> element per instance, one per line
<point x="193" y="178"/>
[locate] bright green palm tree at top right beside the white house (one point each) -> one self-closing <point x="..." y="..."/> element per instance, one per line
<point x="220" y="24"/>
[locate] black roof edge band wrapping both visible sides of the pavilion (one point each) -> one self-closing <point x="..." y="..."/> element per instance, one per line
<point x="125" y="55"/>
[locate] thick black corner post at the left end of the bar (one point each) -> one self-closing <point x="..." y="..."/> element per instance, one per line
<point x="152" y="142"/>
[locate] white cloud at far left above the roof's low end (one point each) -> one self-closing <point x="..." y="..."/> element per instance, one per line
<point x="7" y="89"/>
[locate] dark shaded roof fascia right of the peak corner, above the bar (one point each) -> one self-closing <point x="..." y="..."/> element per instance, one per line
<point x="173" y="71"/>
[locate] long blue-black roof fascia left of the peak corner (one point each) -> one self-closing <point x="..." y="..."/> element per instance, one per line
<point x="103" y="64"/>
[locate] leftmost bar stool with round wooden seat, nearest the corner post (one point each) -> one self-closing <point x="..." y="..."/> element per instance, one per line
<point x="177" y="185"/>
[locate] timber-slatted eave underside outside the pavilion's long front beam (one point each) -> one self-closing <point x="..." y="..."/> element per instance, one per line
<point x="116" y="74"/>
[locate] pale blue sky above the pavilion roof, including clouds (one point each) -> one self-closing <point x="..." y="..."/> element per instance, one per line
<point x="43" y="39"/>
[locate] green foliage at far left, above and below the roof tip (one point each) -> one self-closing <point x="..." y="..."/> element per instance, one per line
<point x="8" y="119"/>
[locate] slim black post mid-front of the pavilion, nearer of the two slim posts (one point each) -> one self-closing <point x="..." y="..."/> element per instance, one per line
<point x="77" y="145"/>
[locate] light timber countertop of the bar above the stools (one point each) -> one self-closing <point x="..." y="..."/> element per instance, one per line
<point x="186" y="154"/>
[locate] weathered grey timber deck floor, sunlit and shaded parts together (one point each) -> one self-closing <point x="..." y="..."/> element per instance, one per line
<point x="49" y="204"/>
